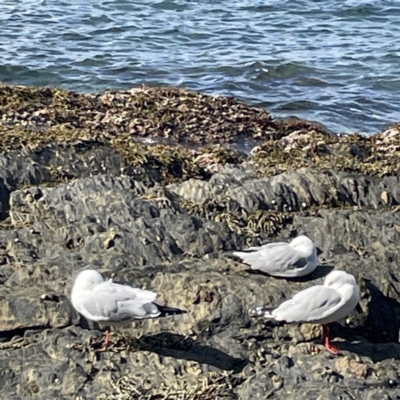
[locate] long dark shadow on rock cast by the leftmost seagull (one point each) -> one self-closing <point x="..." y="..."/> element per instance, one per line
<point x="177" y="346"/>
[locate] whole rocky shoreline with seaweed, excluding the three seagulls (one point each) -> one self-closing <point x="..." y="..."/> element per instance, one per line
<point x="151" y="187"/>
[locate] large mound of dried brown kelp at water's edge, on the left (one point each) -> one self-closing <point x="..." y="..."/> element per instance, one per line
<point x="177" y="114"/>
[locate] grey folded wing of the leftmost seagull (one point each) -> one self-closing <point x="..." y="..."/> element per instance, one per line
<point x="113" y="302"/>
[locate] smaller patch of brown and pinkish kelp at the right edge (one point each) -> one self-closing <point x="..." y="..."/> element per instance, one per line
<point x="377" y="155"/>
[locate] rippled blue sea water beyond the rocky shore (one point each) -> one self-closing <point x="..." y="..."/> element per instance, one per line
<point x="335" y="62"/>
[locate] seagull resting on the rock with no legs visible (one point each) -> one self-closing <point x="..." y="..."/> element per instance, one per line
<point x="286" y="260"/>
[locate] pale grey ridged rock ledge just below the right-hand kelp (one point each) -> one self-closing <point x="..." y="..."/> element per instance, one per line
<point x="288" y="191"/>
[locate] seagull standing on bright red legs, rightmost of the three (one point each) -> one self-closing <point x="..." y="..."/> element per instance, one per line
<point x="321" y="304"/>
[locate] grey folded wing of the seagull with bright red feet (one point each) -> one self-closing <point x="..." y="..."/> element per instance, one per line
<point x="311" y="304"/>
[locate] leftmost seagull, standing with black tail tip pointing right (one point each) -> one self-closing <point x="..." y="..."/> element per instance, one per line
<point x="109" y="303"/>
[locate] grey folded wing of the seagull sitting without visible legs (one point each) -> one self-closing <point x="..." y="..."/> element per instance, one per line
<point x="280" y="260"/>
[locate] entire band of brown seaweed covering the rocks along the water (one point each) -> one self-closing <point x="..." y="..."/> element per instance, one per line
<point x="33" y="118"/>
